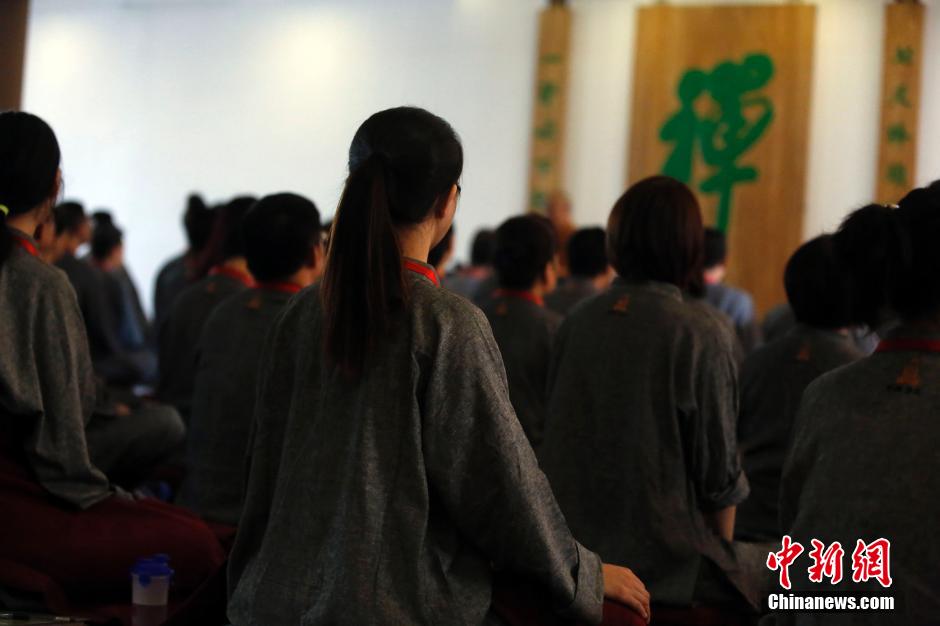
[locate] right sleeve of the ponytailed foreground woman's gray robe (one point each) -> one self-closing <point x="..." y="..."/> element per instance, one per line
<point x="481" y="466"/>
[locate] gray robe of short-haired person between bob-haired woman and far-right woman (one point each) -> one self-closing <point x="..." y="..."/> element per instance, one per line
<point x="773" y="379"/>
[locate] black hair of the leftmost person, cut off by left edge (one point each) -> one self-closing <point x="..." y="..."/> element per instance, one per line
<point x="29" y="166"/>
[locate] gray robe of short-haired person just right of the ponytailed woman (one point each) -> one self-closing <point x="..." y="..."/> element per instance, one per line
<point x="524" y="332"/>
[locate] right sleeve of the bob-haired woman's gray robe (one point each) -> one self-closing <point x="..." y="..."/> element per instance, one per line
<point x="716" y="470"/>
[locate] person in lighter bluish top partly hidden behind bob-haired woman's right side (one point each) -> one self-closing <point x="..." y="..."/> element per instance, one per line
<point x="733" y="302"/>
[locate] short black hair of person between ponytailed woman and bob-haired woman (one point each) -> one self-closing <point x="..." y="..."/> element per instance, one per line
<point x="524" y="246"/>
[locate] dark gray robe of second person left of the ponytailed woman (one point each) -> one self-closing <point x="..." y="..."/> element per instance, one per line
<point x="179" y="338"/>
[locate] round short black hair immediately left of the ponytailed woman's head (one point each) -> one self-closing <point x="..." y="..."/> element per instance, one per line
<point x="280" y="232"/>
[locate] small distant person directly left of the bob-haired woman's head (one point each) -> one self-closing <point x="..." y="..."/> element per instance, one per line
<point x="589" y="271"/>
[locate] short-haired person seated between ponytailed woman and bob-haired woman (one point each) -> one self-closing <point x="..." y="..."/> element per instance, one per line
<point x="525" y="264"/>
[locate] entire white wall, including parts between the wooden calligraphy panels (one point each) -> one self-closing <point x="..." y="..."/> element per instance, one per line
<point x="154" y="98"/>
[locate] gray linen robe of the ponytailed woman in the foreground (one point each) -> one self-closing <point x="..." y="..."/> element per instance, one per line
<point x="392" y="500"/>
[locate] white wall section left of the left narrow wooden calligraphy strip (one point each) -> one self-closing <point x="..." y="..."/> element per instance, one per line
<point x="152" y="99"/>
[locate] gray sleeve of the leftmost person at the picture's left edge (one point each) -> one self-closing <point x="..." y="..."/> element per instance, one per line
<point x="56" y="448"/>
